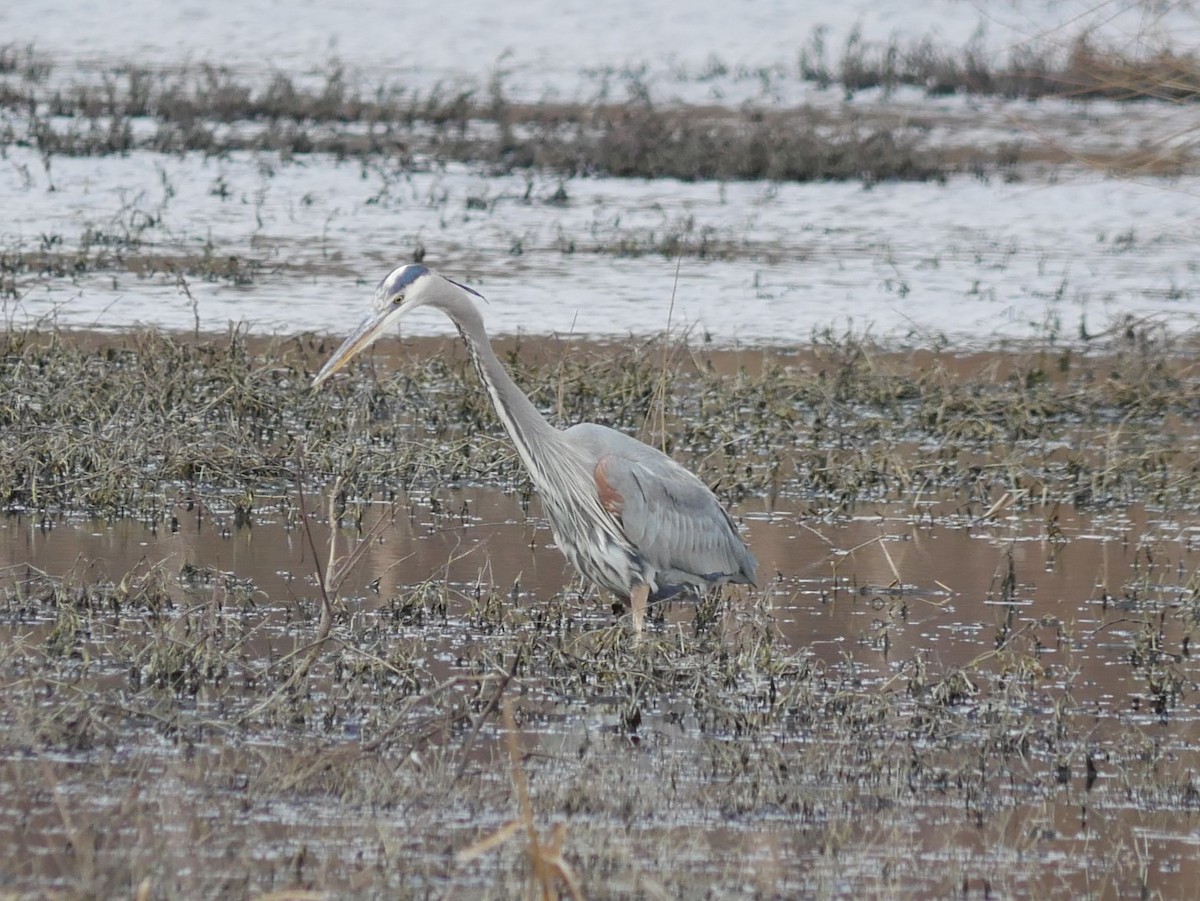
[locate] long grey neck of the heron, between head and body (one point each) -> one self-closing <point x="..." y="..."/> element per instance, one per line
<point x="524" y="422"/>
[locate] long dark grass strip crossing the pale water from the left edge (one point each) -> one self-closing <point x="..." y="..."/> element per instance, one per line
<point x="195" y="112"/>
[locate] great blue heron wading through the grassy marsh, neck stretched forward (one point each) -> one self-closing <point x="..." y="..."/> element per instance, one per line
<point x="626" y="515"/>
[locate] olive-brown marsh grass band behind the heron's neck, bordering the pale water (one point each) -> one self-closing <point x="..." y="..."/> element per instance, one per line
<point x="137" y="427"/>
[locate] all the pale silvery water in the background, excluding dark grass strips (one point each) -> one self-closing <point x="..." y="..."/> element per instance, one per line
<point x="1058" y="251"/>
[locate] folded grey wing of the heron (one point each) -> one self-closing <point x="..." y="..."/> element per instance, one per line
<point x="671" y="518"/>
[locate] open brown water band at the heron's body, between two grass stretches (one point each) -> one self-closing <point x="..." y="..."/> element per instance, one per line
<point x="835" y="587"/>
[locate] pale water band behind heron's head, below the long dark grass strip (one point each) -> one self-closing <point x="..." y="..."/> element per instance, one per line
<point x="910" y="263"/>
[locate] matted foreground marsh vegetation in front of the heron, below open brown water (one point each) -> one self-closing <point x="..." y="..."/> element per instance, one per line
<point x="710" y="755"/>
